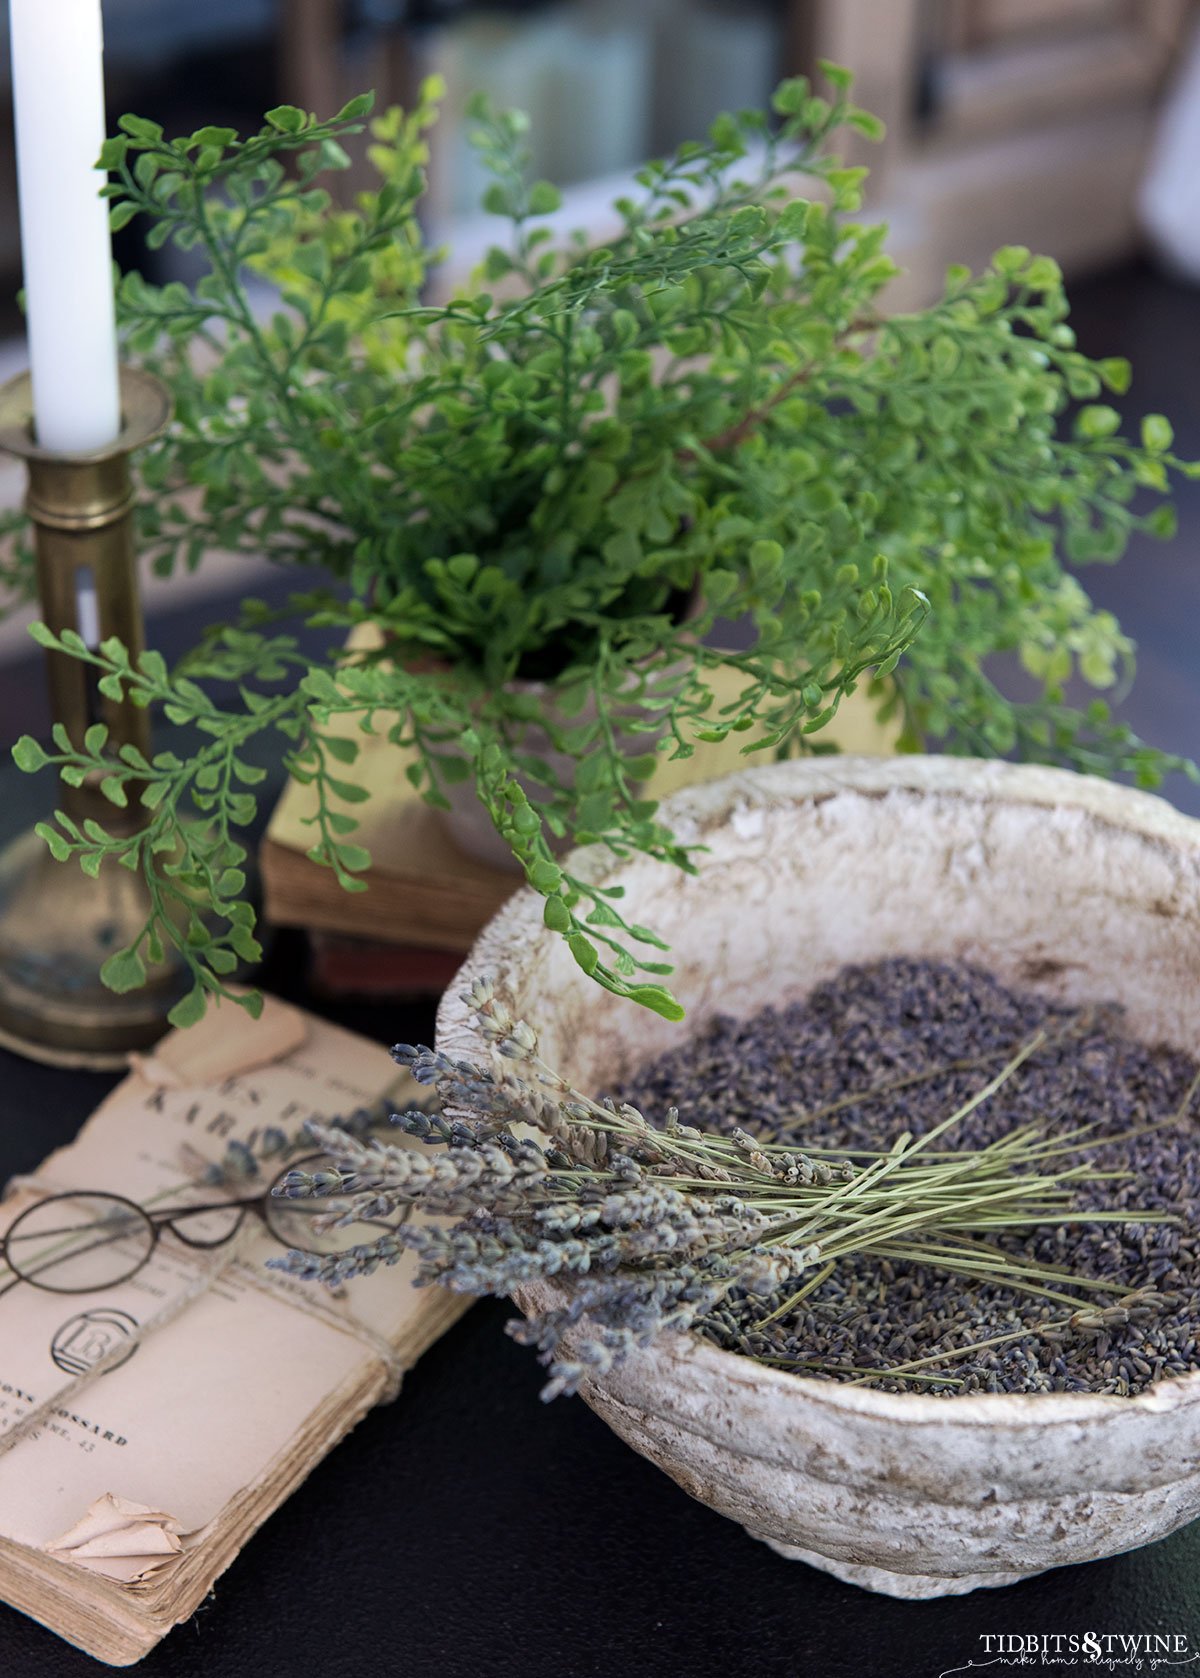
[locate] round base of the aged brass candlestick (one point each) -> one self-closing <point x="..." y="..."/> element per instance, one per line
<point x="58" y="927"/>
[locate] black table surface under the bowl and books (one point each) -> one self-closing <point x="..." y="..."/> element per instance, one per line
<point x="469" y="1531"/>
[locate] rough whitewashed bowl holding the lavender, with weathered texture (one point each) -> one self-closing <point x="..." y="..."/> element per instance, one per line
<point x="1055" y="882"/>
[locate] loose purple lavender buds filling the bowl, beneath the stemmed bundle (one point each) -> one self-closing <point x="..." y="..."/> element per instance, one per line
<point x="897" y="1046"/>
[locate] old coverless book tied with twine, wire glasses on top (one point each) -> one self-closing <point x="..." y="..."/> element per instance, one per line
<point x="143" y="1434"/>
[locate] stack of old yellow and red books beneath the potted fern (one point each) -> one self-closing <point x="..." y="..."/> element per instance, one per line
<point x="422" y="892"/>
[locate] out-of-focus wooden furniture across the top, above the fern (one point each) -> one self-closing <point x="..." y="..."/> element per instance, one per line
<point x="1008" y="120"/>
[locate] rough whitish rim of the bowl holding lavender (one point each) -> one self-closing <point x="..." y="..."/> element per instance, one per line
<point x="521" y="922"/>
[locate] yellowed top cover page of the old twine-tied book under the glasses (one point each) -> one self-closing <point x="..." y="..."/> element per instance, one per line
<point x="169" y="1437"/>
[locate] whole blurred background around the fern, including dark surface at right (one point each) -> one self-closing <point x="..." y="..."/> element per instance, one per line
<point x="1072" y="127"/>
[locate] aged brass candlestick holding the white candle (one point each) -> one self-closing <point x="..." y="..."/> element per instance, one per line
<point x="56" y="924"/>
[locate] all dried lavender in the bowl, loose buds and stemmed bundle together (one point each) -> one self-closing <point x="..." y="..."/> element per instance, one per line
<point x="895" y="1180"/>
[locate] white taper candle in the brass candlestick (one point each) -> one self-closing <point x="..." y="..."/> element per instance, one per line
<point x="65" y="229"/>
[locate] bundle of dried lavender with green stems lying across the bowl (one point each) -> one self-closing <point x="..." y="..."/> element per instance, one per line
<point x="665" y="1229"/>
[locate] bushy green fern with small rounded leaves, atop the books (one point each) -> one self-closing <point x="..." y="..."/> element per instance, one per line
<point x="524" y="487"/>
